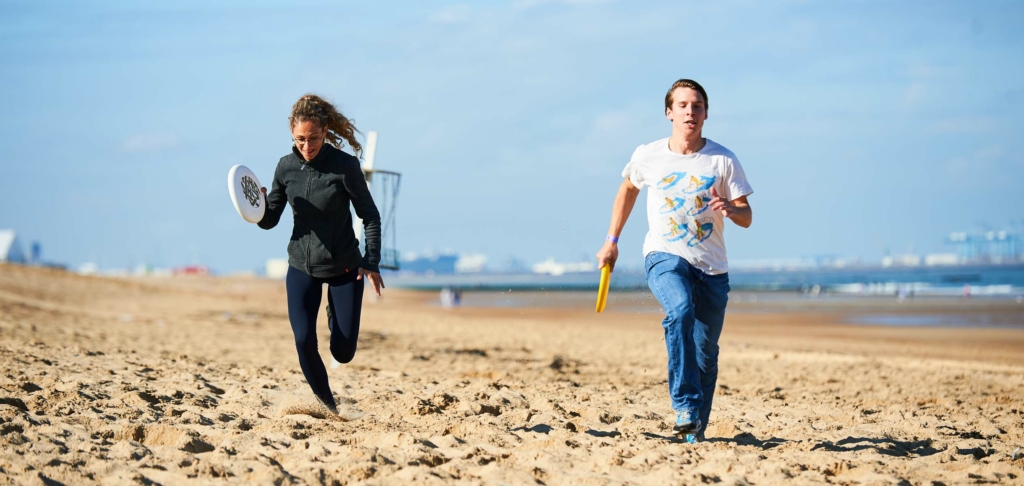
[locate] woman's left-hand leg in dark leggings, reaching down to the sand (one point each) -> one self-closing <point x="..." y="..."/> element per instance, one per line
<point x="305" y="295"/>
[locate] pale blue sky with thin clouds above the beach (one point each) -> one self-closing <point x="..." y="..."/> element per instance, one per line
<point x="865" y="127"/>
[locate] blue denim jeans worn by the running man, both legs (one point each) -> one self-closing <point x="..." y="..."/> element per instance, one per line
<point x="695" y="307"/>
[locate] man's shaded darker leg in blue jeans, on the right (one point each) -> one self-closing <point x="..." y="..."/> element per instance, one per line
<point x="711" y="294"/>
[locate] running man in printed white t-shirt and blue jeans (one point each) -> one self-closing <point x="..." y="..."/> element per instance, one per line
<point x="694" y="185"/>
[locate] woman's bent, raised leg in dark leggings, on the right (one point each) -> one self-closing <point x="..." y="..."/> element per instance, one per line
<point x="346" y="298"/>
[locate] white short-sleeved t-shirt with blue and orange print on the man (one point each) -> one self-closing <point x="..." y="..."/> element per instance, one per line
<point x="679" y="219"/>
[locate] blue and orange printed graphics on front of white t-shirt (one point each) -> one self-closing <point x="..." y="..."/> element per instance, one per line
<point x="684" y="203"/>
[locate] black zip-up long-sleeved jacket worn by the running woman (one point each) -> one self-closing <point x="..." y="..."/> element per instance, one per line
<point x="324" y="244"/>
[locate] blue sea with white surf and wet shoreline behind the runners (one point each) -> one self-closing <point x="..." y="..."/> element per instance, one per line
<point x="933" y="297"/>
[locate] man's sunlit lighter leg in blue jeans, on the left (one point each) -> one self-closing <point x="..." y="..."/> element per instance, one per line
<point x="668" y="277"/>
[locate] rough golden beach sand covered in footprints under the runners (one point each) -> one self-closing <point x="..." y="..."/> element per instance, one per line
<point x="125" y="381"/>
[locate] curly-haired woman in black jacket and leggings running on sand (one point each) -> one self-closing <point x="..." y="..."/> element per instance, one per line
<point x="320" y="182"/>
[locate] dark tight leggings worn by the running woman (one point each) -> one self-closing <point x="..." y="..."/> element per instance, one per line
<point x="346" y="298"/>
